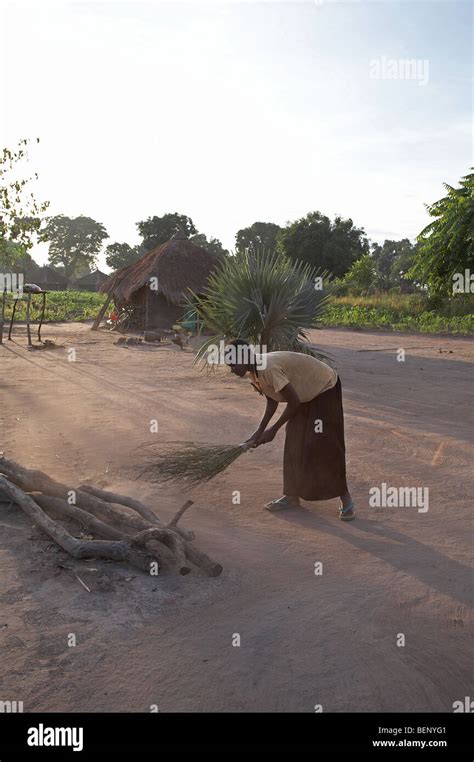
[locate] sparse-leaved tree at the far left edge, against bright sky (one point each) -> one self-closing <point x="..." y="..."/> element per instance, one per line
<point x="20" y="212"/>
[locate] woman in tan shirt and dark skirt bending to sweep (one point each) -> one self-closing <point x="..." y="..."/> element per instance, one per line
<point x="314" y="465"/>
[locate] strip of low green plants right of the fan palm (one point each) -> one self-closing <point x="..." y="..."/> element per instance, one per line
<point x="402" y="312"/>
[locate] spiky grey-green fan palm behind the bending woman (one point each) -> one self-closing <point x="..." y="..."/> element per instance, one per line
<point x="262" y="297"/>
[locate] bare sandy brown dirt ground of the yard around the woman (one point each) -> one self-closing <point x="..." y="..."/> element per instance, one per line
<point x="306" y="639"/>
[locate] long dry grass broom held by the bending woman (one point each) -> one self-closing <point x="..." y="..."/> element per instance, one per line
<point x="197" y="463"/>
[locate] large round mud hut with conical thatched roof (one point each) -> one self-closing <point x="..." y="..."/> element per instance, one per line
<point x="178" y="267"/>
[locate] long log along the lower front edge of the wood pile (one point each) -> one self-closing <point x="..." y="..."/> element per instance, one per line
<point x="79" y="549"/>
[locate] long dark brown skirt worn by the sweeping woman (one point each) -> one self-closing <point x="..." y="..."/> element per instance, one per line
<point x="314" y="463"/>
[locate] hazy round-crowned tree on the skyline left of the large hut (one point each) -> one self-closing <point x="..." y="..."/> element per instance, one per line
<point x="74" y="242"/>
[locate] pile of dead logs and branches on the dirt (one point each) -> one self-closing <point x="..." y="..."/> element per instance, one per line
<point x="124" y="529"/>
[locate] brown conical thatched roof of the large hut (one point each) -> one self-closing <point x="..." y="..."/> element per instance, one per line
<point x="178" y="264"/>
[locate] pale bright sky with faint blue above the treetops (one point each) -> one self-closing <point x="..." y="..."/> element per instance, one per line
<point x="236" y="112"/>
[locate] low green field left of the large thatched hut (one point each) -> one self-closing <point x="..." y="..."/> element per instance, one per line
<point x="60" y="306"/>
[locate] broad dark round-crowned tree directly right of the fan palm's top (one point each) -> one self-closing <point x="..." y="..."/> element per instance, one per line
<point x="332" y="246"/>
